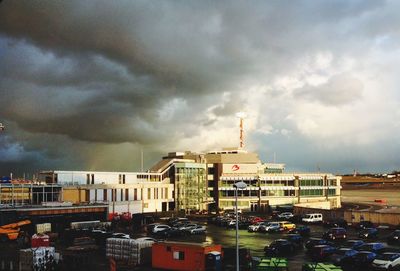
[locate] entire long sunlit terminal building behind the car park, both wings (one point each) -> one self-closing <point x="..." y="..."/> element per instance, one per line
<point x="199" y="181"/>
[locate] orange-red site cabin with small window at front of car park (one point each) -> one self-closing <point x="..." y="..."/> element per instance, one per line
<point x="181" y="256"/>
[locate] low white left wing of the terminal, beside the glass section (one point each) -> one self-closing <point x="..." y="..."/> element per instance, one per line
<point x="122" y="191"/>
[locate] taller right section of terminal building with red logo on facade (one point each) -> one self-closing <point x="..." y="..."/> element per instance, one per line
<point x="267" y="183"/>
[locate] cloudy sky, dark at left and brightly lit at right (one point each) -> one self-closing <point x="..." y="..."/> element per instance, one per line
<point x="88" y="85"/>
